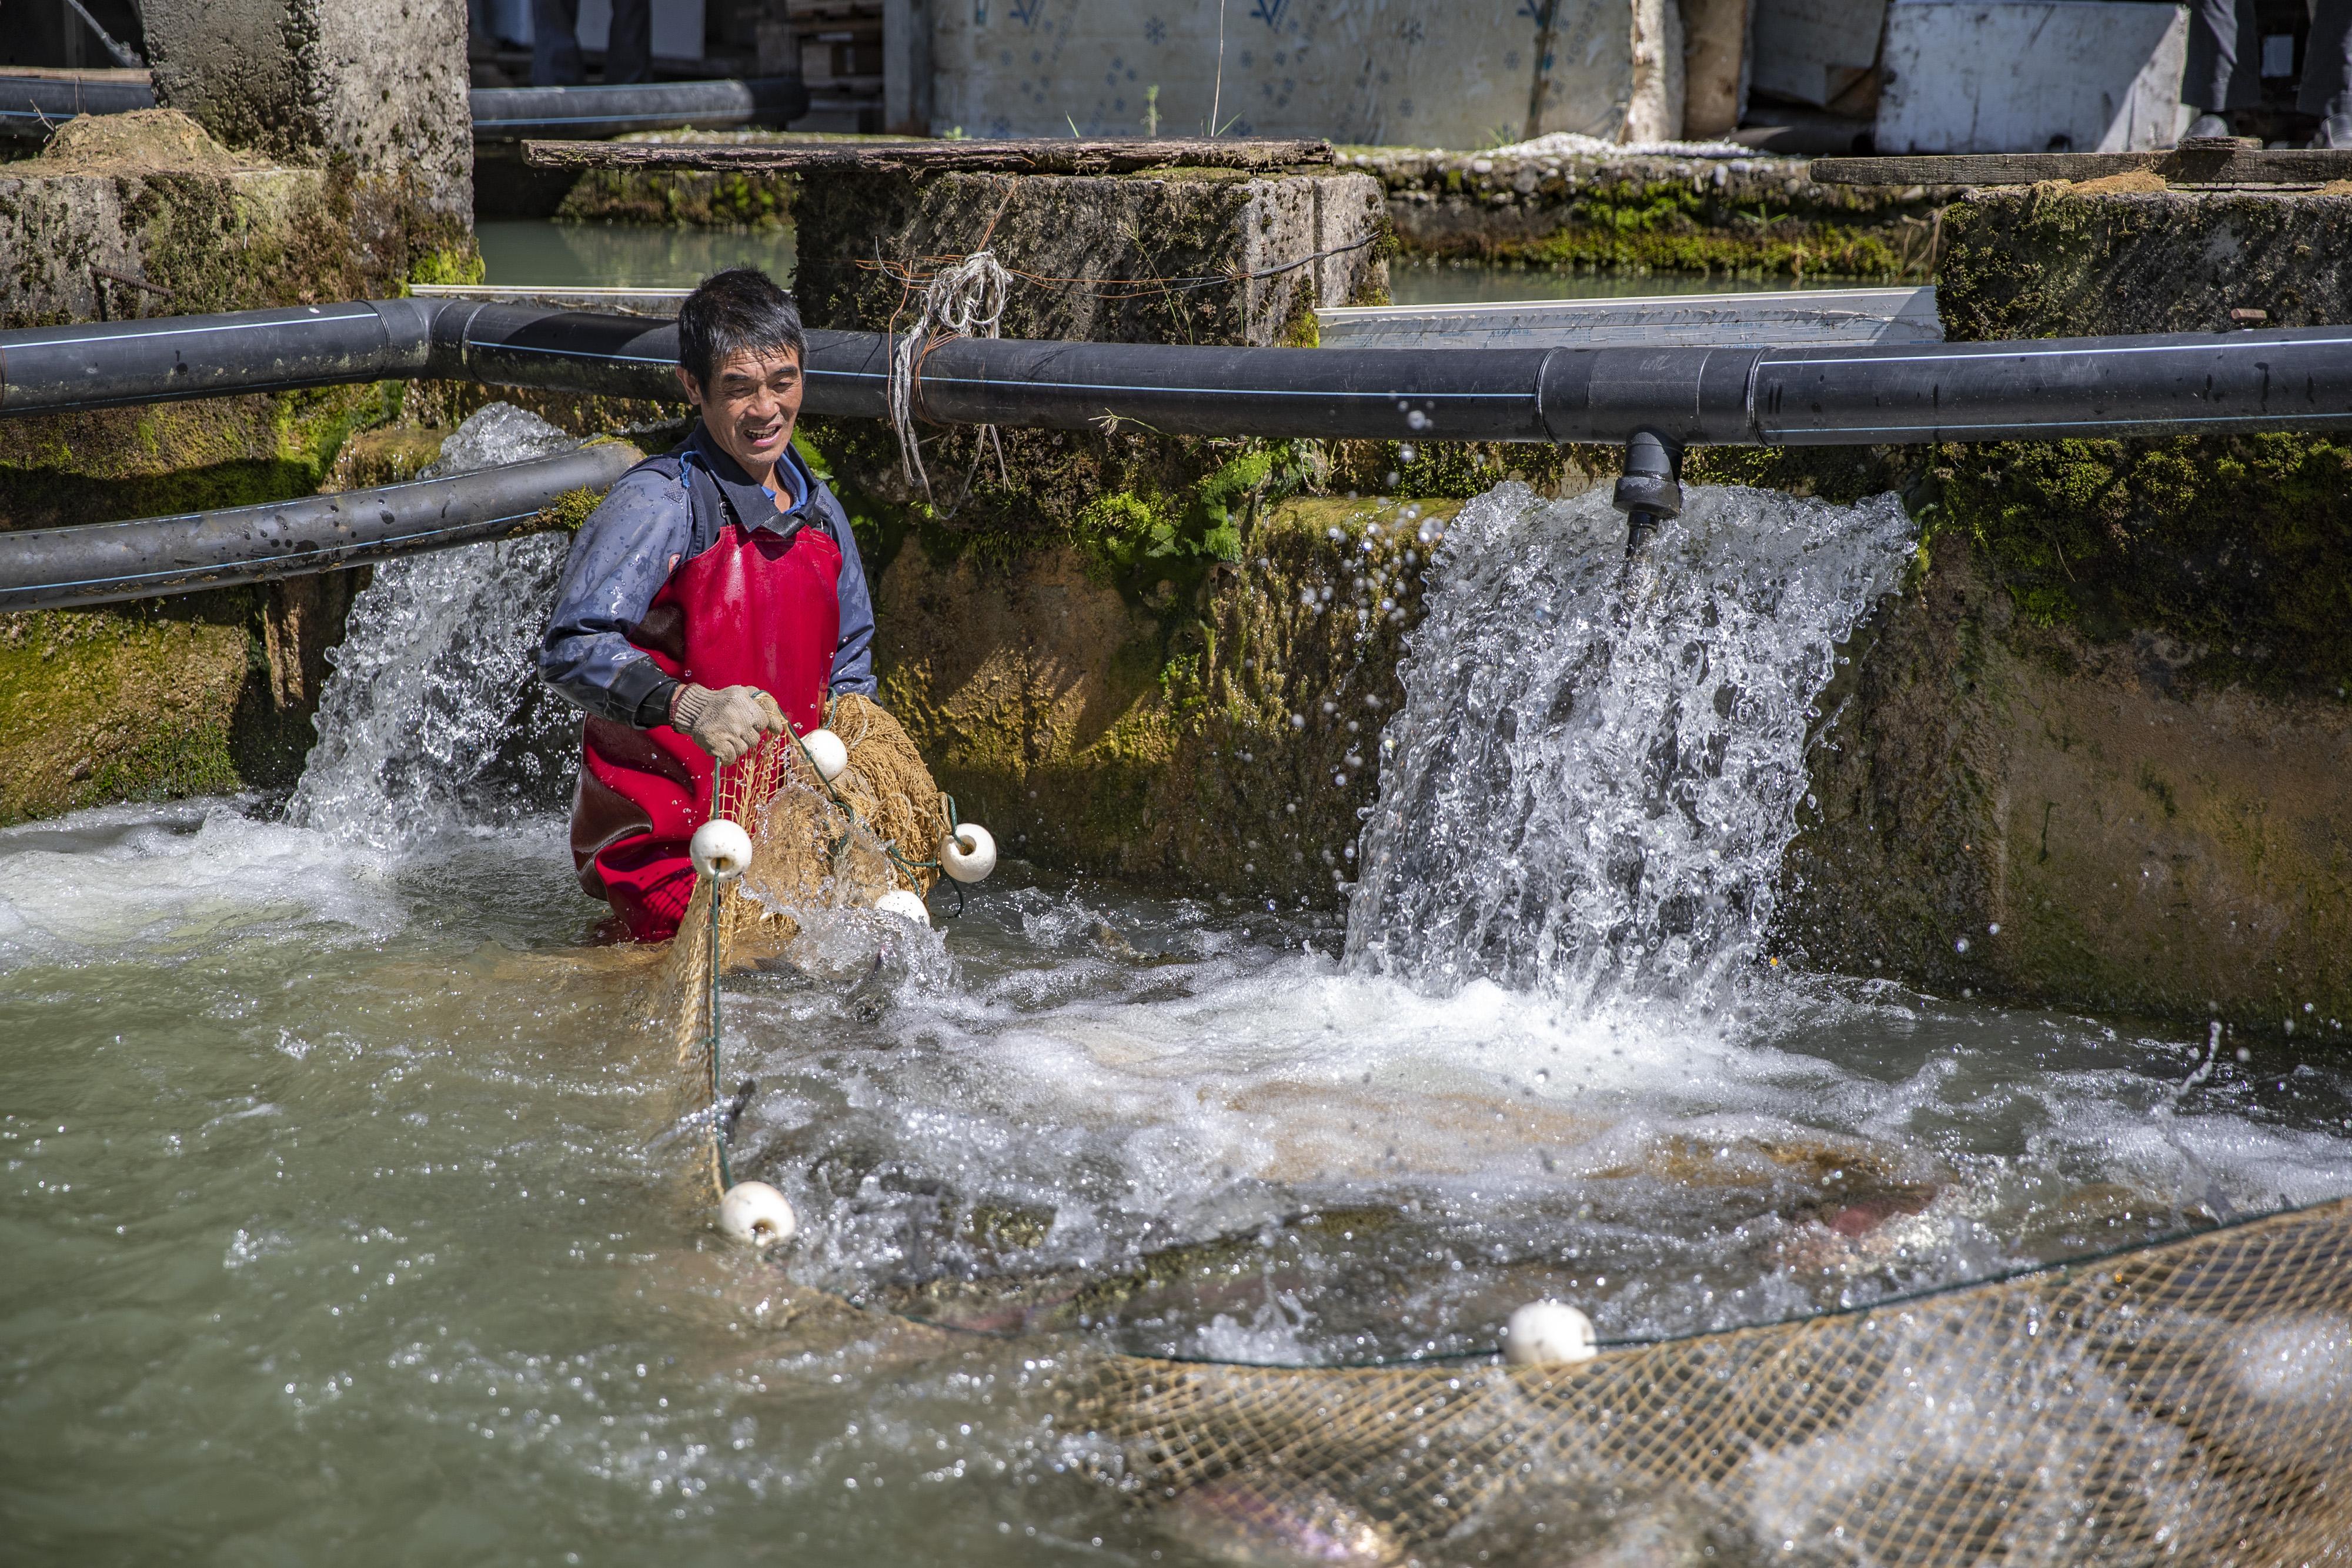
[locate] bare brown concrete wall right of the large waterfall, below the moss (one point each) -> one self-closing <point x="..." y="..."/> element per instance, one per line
<point x="2017" y="812"/>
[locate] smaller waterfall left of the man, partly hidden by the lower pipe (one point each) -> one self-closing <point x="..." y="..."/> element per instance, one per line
<point x="434" y="713"/>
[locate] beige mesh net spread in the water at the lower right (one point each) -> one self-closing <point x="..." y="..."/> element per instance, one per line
<point x="2189" y="1402"/>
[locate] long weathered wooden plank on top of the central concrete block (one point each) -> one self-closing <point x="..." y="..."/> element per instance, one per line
<point x="1041" y="156"/>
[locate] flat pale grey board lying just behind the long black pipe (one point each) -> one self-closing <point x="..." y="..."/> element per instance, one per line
<point x="1784" y="319"/>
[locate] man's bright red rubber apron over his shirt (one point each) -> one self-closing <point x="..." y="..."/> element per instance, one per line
<point x="754" y="610"/>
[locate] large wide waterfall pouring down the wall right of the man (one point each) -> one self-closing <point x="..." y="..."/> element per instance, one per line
<point x="1601" y="760"/>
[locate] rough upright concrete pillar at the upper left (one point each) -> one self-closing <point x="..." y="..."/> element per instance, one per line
<point x="370" y="88"/>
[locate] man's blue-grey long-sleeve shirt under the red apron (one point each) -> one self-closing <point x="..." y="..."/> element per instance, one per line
<point x="660" y="516"/>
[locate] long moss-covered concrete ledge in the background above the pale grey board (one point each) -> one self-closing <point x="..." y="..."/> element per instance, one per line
<point x="1655" y="215"/>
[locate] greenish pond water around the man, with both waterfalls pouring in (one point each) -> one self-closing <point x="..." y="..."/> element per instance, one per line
<point x="352" y="1214"/>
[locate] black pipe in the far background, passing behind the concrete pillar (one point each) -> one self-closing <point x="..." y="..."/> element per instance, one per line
<point x="32" y="107"/>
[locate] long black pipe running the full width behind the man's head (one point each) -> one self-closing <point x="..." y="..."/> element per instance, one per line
<point x="2294" y="380"/>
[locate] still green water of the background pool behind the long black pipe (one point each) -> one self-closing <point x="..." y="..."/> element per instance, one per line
<point x="535" y="253"/>
